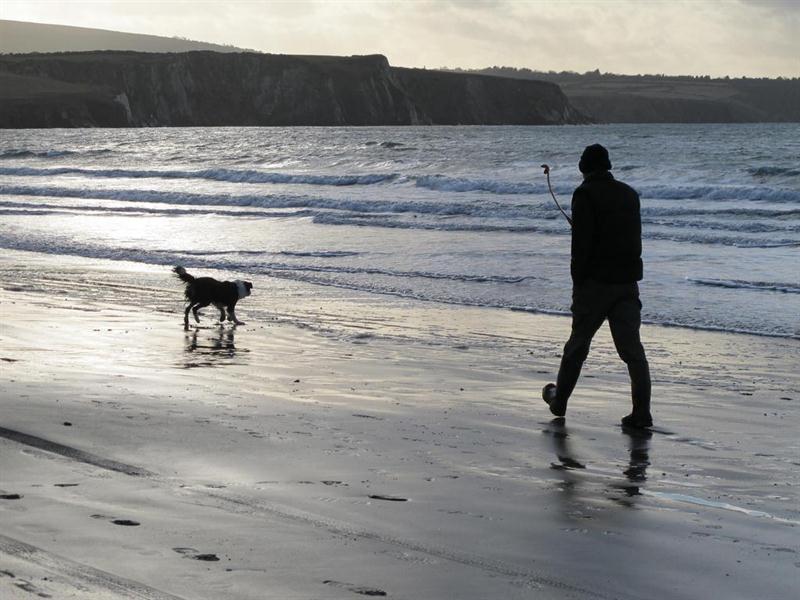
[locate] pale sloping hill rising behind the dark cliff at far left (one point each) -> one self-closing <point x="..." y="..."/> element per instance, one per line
<point x="21" y="38"/>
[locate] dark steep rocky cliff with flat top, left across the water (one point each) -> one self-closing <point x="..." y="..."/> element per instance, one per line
<point x="122" y="89"/>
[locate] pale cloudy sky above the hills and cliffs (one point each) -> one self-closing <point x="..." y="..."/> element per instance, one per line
<point x="754" y="38"/>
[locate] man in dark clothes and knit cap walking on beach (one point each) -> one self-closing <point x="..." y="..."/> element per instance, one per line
<point x="606" y="266"/>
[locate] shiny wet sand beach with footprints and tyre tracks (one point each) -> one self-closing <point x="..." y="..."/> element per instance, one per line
<point x="342" y="446"/>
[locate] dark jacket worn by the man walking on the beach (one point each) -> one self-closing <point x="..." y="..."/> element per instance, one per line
<point x="606" y="231"/>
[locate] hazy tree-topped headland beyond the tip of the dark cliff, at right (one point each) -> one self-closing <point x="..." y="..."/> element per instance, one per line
<point x="610" y="98"/>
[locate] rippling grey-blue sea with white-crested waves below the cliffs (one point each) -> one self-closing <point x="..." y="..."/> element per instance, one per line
<point x="449" y="215"/>
